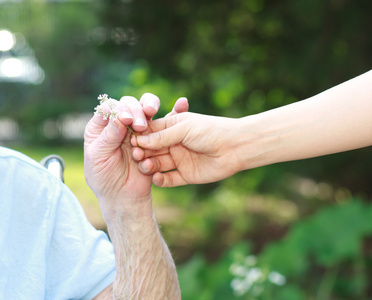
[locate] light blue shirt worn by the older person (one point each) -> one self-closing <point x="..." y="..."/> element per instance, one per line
<point x="48" y="249"/>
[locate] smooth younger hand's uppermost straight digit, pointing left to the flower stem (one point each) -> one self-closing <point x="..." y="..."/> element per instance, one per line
<point x="162" y="139"/>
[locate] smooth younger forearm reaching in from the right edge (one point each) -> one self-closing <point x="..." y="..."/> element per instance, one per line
<point x="336" y="120"/>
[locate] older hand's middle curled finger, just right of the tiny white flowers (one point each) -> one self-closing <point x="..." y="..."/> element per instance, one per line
<point x="131" y="105"/>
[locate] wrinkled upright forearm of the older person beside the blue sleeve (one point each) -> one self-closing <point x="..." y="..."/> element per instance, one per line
<point x="144" y="266"/>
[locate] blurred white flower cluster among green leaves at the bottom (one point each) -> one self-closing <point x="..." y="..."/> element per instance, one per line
<point x="251" y="278"/>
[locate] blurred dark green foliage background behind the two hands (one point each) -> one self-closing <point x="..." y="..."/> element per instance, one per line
<point x="308" y="220"/>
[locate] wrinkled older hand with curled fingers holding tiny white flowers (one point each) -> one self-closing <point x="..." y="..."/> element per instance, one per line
<point x="109" y="169"/>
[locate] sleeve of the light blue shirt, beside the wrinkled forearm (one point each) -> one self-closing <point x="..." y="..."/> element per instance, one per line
<point x="80" y="262"/>
